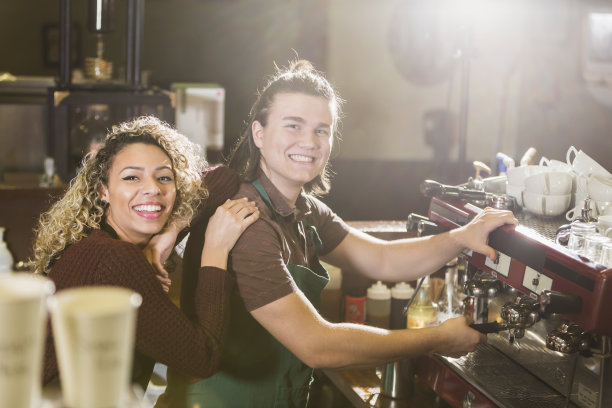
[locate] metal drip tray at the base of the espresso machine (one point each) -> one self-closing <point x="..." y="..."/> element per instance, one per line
<point x="503" y="381"/>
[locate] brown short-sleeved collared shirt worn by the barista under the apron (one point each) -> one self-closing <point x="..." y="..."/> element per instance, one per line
<point x="262" y="253"/>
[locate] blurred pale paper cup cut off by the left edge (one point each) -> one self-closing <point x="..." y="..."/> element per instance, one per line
<point x="23" y="321"/>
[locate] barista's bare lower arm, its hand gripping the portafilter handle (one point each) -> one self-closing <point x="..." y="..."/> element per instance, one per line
<point x="294" y="322"/>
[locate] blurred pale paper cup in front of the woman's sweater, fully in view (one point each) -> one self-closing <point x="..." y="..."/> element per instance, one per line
<point x="94" y="332"/>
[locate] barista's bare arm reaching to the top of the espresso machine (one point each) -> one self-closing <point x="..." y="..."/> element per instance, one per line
<point x="408" y="259"/>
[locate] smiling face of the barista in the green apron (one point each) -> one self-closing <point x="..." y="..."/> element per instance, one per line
<point x="296" y="142"/>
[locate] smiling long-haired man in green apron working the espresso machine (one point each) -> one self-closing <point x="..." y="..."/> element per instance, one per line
<point x="276" y="333"/>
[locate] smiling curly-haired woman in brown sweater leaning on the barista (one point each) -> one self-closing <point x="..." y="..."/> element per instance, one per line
<point x="145" y="177"/>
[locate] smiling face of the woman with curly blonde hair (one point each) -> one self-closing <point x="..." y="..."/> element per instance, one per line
<point x="140" y="192"/>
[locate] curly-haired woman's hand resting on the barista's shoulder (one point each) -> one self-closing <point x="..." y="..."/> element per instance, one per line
<point x="224" y="228"/>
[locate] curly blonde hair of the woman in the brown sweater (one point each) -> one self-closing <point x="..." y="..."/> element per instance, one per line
<point x="80" y="210"/>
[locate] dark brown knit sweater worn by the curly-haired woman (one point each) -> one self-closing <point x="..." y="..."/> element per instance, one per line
<point x="163" y="333"/>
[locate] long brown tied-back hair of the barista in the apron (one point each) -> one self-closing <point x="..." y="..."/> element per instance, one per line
<point x="300" y="77"/>
